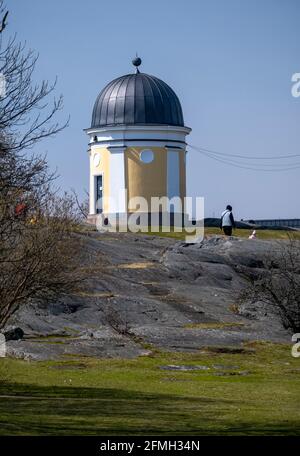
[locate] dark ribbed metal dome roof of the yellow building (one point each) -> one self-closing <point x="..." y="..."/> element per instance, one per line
<point x="137" y="99"/>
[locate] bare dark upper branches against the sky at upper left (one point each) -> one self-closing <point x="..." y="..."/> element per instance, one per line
<point x="25" y="112"/>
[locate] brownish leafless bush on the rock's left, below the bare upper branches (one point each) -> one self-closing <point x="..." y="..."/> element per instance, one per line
<point x="41" y="261"/>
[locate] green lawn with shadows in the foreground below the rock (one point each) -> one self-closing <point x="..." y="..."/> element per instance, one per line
<point x="254" y="390"/>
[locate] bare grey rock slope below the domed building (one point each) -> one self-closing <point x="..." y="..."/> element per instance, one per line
<point x="151" y="293"/>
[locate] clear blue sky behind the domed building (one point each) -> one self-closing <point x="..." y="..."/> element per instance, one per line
<point x="230" y="62"/>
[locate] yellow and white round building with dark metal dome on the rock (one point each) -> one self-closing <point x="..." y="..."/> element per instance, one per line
<point x="137" y="144"/>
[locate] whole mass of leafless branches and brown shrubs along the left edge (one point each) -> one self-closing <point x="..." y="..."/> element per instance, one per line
<point x="39" y="250"/>
